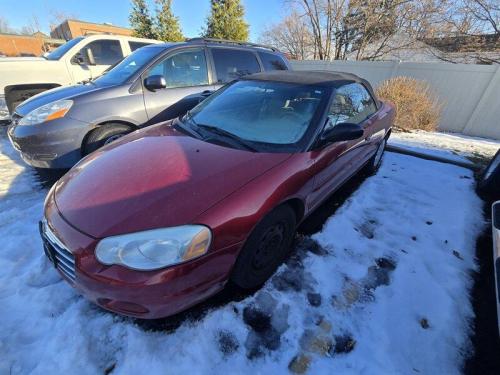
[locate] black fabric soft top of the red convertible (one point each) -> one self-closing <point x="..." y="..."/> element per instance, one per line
<point x="310" y="77"/>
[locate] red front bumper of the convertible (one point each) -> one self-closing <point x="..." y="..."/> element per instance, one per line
<point x="141" y="294"/>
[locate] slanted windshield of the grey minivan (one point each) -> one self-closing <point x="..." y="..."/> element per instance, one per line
<point x="129" y="66"/>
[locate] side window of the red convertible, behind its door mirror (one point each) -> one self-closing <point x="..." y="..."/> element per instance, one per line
<point x="351" y="103"/>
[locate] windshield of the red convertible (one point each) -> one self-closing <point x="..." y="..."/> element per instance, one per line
<point x="272" y="114"/>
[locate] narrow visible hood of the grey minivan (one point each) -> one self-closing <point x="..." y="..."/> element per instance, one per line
<point x="49" y="96"/>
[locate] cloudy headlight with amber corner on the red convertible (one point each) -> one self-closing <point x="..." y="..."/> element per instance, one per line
<point x="154" y="249"/>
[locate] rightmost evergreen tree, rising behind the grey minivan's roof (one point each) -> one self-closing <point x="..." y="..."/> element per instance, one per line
<point x="226" y="21"/>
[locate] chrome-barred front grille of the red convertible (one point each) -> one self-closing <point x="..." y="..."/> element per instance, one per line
<point x="57" y="253"/>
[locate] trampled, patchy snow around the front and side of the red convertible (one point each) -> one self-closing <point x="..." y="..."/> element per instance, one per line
<point x="382" y="289"/>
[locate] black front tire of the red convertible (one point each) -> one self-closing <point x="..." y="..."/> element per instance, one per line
<point x="265" y="249"/>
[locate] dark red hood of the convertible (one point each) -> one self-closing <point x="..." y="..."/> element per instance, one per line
<point x="153" y="178"/>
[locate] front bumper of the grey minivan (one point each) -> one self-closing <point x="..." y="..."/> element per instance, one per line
<point x="54" y="144"/>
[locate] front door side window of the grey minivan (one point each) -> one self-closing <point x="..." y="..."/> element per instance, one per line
<point x="183" y="69"/>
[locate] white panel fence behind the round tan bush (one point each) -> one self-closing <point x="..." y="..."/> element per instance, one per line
<point x="470" y="93"/>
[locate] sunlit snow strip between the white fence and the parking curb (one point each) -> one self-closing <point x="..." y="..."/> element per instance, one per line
<point x="450" y="145"/>
